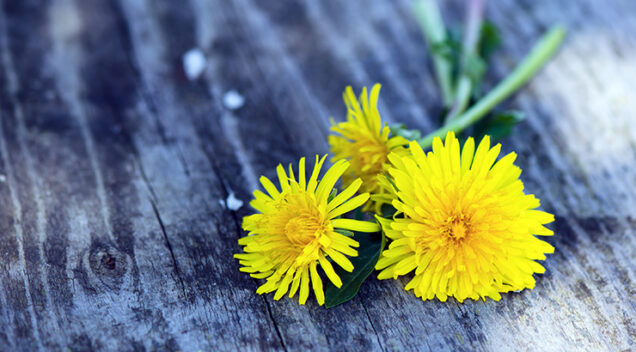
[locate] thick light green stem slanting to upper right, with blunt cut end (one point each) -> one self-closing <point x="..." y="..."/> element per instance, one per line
<point x="540" y="54"/>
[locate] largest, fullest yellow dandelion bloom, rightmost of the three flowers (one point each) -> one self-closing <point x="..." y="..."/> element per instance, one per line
<point x="468" y="228"/>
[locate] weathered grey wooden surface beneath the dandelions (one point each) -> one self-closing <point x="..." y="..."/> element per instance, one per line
<point x="114" y="168"/>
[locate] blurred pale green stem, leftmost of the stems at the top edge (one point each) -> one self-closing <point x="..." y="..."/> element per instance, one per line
<point x="430" y="19"/>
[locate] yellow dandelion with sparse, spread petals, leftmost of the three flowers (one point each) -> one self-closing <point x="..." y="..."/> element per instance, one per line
<point x="297" y="230"/>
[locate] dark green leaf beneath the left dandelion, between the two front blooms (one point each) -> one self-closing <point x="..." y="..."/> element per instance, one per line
<point x="371" y="245"/>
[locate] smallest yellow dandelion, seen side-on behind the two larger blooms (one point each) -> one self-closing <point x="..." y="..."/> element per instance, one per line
<point x="365" y="142"/>
